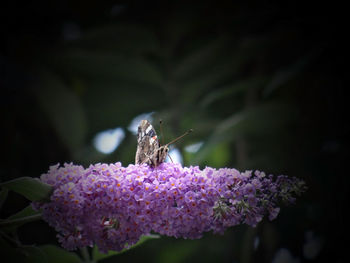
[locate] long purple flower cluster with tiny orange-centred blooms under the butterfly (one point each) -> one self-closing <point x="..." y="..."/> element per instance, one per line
<point x="112" y="206"/>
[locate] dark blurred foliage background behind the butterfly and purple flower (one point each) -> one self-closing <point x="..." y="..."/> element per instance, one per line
<point x="262" y="85"/>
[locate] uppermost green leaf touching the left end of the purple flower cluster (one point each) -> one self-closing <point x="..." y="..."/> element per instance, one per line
<point x="31" y="188"/>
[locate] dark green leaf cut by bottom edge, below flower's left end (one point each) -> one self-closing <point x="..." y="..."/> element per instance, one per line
<point x="56" y="254"/>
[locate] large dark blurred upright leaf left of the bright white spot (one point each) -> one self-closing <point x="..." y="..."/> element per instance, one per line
<point x="63" y="109"/>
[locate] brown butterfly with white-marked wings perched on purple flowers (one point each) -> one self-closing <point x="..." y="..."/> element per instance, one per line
<point x="149" y="150"/>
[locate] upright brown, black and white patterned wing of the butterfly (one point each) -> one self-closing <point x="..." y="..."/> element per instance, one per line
<point x="147" y="143"/>
